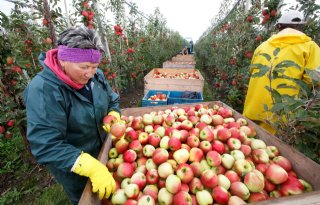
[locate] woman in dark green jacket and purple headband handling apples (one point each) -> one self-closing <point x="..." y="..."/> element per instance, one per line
<point x="66" y="103"/>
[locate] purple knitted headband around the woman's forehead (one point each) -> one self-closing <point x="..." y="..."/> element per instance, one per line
<point x="78" y="55"/>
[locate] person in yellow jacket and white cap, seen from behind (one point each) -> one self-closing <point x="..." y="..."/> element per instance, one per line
<point x="293" y="46"/>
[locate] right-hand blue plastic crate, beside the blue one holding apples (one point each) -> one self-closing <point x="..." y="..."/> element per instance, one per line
<point x="181" y="97"/>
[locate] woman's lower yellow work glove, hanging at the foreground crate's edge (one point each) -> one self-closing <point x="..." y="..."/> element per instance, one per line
<point x="101" y="179"/>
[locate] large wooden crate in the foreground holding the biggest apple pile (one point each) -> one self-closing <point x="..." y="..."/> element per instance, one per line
<point x="305" y="167"/>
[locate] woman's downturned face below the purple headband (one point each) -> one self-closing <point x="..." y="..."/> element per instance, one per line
<point x="79" y="73"/>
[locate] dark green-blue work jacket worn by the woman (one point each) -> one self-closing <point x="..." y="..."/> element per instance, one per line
<point x="62" y="123"/>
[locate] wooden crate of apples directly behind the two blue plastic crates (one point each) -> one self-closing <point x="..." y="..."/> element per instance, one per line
<point x="151" y="83"/>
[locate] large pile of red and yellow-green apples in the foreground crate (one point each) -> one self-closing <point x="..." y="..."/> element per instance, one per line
<point x="196" y="155"/>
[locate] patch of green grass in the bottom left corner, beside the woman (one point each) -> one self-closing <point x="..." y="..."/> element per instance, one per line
<point x="25" y="182"/>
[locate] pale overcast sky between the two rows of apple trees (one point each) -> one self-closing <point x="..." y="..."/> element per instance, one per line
<point x="189" y="18"/>
